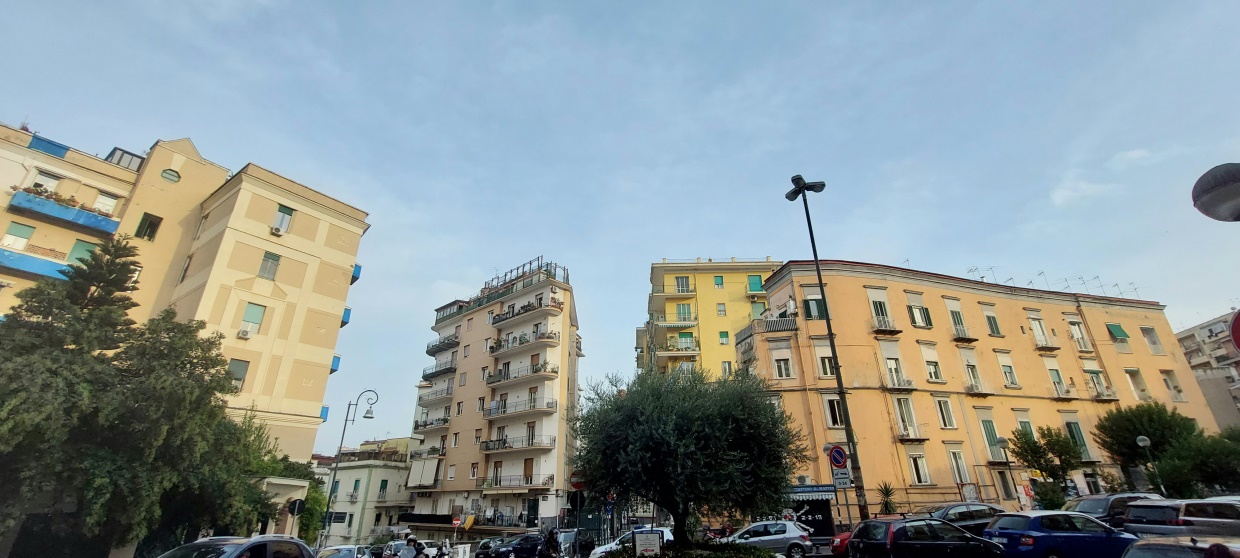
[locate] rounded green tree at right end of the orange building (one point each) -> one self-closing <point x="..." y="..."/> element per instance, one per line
<point x="1118" y="432"/>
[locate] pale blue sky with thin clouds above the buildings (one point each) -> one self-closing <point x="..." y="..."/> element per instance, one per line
<point x="1016" y="138"/>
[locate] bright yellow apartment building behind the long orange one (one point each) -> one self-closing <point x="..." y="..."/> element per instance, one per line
<point x="695" y="307"/>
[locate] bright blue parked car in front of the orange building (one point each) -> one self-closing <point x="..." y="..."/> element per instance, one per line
<point x="1056" y="534"/>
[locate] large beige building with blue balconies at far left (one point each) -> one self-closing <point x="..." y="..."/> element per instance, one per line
<point x="266" y="261"/>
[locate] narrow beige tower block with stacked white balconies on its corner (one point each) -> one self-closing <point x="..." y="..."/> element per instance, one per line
<point x="494" y="406"/>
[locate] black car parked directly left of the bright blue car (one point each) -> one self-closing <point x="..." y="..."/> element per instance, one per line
<point x="916" y="538"/>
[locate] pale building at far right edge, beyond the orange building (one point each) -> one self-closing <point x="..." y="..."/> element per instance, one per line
<point x="1216" y="364"/>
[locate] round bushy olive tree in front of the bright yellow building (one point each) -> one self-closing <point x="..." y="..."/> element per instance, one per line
<point x="688" y="445"/>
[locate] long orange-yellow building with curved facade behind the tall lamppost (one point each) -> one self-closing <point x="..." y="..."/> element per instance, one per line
<point x="937" y="369"/>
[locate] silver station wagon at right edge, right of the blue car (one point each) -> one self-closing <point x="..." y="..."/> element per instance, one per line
<point x="1155" y="518"/>
